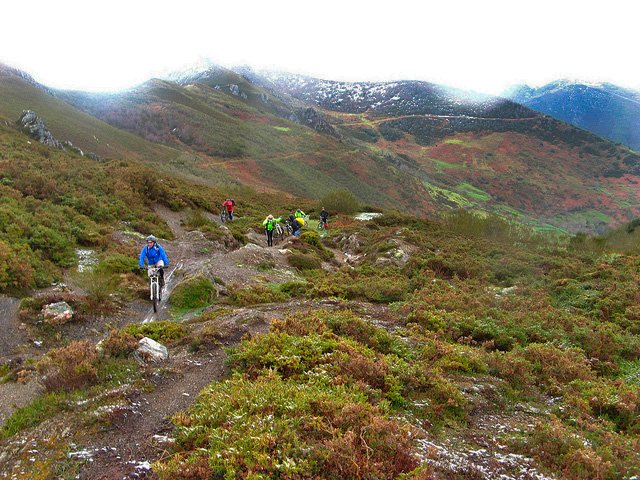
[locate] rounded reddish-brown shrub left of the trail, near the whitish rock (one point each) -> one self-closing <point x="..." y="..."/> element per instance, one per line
<point x="70" y="367"/>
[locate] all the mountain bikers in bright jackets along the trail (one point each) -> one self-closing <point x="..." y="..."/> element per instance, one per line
<point x="154" y="255"/>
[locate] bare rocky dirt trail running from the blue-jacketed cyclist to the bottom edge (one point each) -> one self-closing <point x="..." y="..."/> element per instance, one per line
<point x="128" y="447"/>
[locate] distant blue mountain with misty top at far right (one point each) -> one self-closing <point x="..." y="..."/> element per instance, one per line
<point x="605" y="109"/>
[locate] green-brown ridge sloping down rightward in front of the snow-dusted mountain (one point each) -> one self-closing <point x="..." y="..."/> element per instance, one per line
<point x="253" y="144"/>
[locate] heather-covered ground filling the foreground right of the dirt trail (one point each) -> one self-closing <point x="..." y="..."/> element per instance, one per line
<point x="468" y="346"/>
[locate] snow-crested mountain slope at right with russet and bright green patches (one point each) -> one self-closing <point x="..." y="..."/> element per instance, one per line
<point x="475" y="151"/>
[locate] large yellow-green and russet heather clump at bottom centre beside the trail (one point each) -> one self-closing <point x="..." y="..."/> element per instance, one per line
<point x="320" y="432"/>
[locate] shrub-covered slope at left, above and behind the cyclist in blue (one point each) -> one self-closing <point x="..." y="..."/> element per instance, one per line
<point x="53" y="202"/>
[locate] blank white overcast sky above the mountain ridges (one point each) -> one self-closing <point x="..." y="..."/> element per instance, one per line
<point x="482" y="45"/>
